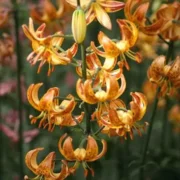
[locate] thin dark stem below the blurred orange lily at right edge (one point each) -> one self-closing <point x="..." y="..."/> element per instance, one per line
<point x="147" y="140"/>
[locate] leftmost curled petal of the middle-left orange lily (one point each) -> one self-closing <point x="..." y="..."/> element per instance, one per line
<point x="32" y="95"/>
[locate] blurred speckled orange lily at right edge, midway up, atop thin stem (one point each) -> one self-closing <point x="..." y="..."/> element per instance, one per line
<point x="163" y="75"/>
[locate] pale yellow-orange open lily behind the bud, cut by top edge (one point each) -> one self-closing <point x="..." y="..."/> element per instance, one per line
<point x="98" y="9"/>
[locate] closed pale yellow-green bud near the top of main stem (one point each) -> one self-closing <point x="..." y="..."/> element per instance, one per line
<point x="79" y="25"/>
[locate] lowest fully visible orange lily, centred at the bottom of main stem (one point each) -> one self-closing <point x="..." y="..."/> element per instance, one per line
<point x="81" y="155"/>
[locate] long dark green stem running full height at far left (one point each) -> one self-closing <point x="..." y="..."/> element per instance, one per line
<point x="19" y="91"/>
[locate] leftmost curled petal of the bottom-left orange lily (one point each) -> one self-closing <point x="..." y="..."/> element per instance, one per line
<point x="31" y="159"/>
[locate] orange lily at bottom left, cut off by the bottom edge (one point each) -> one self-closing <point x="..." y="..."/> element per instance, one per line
<point x="44" y="170"/>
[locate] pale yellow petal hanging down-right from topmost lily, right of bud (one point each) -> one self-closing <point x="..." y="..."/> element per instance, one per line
<point x="102" y="16"/>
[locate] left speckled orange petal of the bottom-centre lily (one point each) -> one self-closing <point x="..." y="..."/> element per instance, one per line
<point x="67" y="150"/>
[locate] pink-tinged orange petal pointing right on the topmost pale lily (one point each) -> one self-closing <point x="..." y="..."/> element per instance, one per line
<point x="112" y="6"/>
